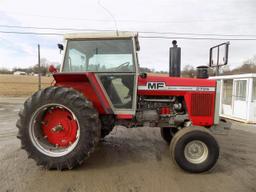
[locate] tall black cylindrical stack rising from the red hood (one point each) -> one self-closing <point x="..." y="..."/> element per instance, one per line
<point x="174" y="60"/>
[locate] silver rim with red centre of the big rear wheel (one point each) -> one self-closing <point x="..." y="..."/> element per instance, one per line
<point x="45" y="140"/>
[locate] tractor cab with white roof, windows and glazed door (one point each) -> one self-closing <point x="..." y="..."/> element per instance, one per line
<point x="112" y="58"/>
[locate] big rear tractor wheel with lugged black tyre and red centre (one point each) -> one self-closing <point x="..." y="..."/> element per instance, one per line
<point x="58" y="127"/>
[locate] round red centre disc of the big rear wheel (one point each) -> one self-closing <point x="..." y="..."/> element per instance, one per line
<point x="59" y="127"/>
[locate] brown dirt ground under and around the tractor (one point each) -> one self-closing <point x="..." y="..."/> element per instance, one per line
<point x="132" y="160"/>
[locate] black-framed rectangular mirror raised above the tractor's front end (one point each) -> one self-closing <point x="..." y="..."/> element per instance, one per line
<point x="219" y="55"/>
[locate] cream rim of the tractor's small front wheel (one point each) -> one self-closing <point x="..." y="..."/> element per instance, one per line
<point x="196" y="152"/>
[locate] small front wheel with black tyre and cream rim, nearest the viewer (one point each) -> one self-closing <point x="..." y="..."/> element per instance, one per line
<point x="194" y="149"/>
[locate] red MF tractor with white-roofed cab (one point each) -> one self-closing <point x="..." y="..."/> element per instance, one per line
<point x="99" y="86"/>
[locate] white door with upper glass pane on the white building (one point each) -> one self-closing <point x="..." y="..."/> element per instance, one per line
<point x="240" y="98"/>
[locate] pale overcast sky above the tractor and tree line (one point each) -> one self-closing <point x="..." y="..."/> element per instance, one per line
<point x="180" y="16"/>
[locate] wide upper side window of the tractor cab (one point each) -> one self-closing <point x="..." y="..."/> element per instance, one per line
<point x="113" y="55"/>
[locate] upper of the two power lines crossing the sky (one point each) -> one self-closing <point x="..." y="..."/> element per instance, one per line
<point x="146" y="32"/>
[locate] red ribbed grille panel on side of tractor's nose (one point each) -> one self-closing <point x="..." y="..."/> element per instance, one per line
<point x="201" y="104"/>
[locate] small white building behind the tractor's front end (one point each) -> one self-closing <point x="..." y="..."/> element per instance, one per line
<point x="238" y="97"/>
